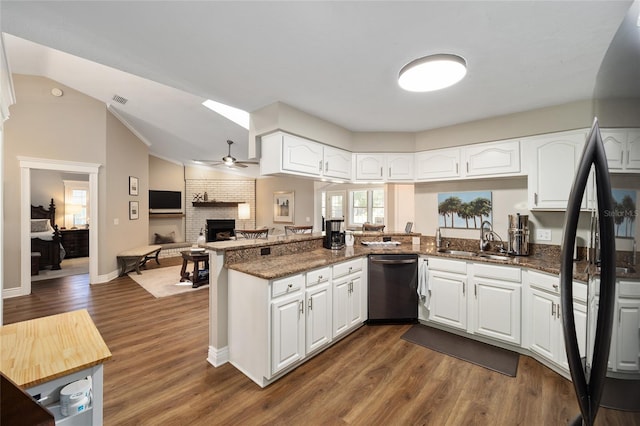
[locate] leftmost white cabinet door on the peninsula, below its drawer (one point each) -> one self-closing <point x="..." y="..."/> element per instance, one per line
<point x="287" y="330"/>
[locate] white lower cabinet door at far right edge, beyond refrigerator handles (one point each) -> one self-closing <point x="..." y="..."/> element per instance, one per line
<point x="628" y="335"/>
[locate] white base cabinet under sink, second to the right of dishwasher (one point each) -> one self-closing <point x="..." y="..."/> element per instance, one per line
<point x="496" y="303"/>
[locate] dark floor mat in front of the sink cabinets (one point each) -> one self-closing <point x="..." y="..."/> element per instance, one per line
<point x="487" y="356"/>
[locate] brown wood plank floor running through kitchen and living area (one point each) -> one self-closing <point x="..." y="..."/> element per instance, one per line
<point x="159" y="374"/>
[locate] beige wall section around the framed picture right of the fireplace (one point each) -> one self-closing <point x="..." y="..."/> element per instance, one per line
<point x="303" y="196"/>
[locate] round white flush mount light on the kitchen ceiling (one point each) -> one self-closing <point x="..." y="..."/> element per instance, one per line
<point x="433" y="72"/>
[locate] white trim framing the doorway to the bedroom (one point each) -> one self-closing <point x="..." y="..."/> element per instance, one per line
<point x="29" y="166"/>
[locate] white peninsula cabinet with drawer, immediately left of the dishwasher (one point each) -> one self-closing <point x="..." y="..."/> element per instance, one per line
<point x="348" y="296"/>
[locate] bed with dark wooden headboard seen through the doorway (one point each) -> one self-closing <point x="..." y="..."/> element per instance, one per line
<point x="45" y="236"/>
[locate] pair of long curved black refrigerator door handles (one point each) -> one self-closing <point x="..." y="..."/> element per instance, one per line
<point x="589" y="393"/>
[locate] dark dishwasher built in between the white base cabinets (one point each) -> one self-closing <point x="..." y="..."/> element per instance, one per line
<point x="393" y="282"/>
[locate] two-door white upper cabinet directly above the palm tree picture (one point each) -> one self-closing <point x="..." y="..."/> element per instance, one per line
<point x="490" y="159"/>
